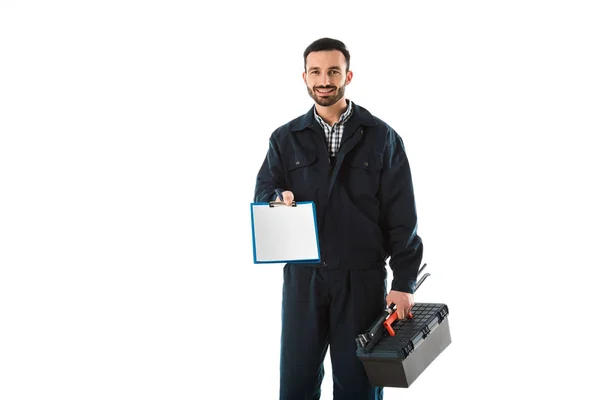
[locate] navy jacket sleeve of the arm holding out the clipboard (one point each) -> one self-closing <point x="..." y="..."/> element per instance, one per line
<point x="271" y="174"/>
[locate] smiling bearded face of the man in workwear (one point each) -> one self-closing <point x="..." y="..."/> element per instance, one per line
<point x="326" y="76"/>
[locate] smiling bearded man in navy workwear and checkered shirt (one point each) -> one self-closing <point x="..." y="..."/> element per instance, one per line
<point x="354" y="167"/>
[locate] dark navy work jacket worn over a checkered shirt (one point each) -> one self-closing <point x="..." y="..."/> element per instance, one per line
<point x="364" y="201"/>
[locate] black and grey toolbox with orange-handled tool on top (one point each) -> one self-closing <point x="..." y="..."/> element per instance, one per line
<point x="395" y="352"/>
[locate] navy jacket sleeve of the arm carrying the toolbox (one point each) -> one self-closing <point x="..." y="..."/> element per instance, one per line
<point x="399" y="215"/>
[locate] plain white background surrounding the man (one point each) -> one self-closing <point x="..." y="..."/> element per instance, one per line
<point x="130" y="137"/>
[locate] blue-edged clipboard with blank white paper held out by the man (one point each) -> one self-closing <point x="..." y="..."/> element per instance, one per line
<point x="285" y="234"/>
